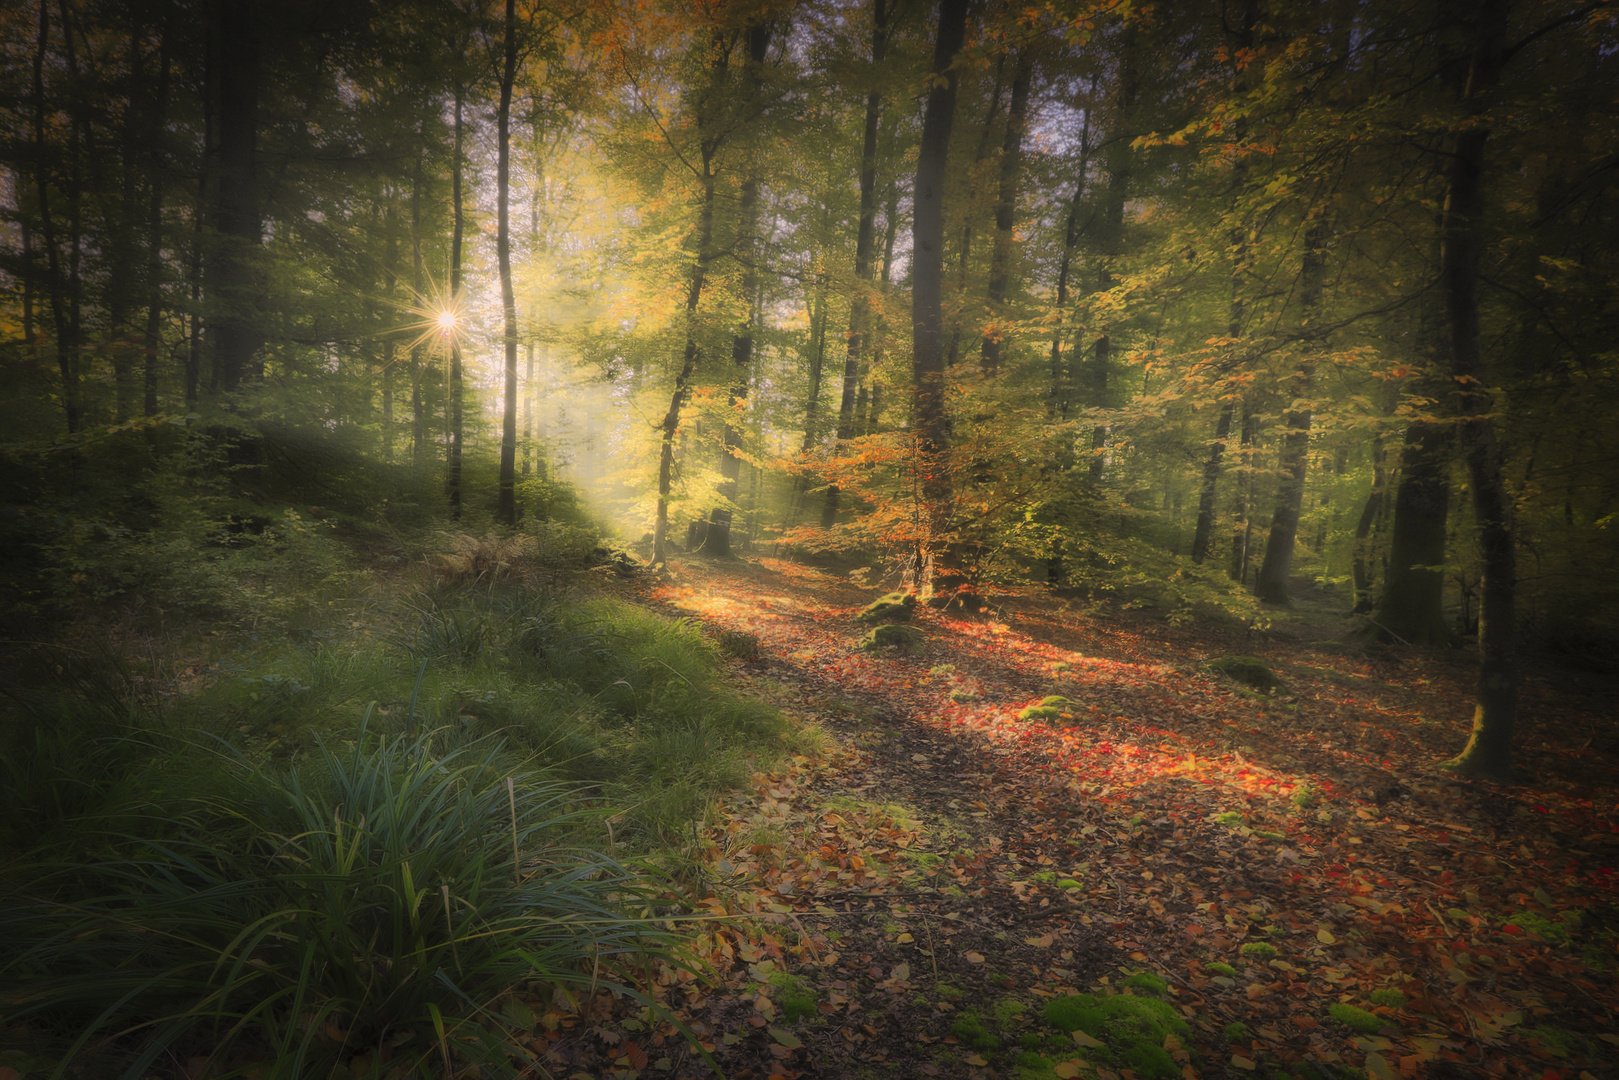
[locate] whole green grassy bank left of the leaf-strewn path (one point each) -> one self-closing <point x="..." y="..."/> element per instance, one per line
<point x="365" y="843"/>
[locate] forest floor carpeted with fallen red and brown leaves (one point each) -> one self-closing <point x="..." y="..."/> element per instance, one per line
<point x="911" y="901"/>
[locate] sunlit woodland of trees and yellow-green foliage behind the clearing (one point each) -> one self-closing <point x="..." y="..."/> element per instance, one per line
<point x="1188" y="305"/>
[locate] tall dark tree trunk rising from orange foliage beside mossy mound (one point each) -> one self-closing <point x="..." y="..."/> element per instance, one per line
<point x="933" y="423"/>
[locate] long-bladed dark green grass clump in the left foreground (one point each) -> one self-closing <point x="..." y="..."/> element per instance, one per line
<point x="370" y="909"/>
